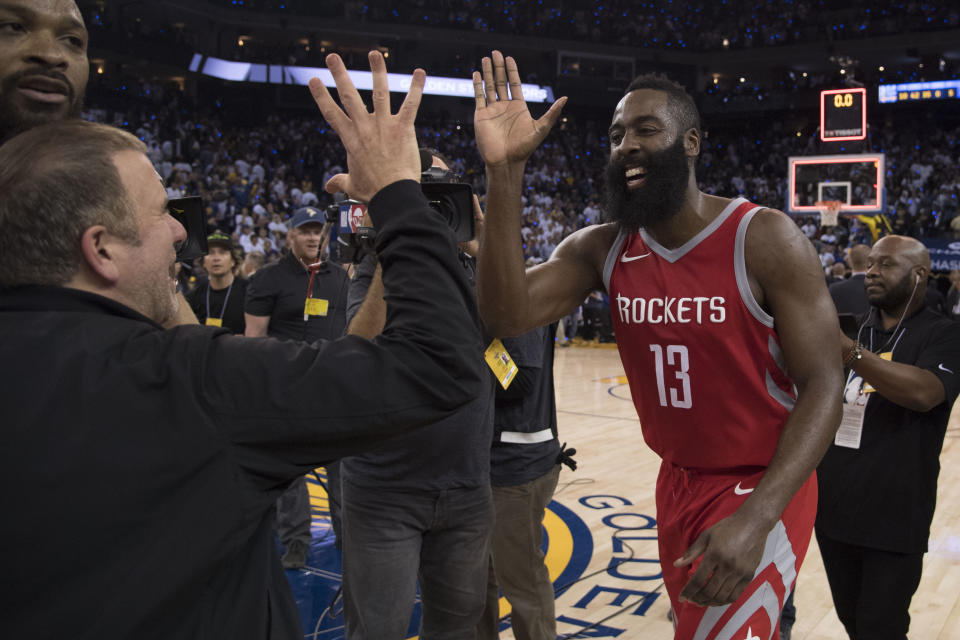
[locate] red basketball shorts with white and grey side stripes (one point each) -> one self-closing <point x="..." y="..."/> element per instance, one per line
<point x="691" y="501"/>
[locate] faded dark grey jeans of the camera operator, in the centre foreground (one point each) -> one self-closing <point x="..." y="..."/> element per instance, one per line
<point x="390" y="538"/>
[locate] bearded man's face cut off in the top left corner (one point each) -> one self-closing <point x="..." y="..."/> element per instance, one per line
<point x="43" y="63"/>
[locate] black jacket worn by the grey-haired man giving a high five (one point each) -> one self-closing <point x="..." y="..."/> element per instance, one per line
<point x="139" y="466"/>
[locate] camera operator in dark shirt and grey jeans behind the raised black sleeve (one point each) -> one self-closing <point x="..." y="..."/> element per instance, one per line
<point x="417" y="506"/>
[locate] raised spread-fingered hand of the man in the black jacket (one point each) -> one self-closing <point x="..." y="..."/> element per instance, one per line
<point x="381" y="147"/>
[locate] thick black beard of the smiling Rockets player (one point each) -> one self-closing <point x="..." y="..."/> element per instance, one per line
<point x="661" y="195"/>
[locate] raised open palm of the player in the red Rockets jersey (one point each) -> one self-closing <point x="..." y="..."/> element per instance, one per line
<point x="506" y="132"/>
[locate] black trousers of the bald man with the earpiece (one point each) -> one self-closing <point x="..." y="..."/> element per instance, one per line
<point x="871" y="589"/>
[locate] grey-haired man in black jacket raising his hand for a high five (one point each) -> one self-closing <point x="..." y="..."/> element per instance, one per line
<point x="165" y="450"/>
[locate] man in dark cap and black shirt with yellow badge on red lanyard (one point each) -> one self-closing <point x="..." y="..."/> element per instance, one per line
<point x="293" y="300"/>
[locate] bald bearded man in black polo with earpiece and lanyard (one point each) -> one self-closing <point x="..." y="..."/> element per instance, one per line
<point x="878" y="481"/>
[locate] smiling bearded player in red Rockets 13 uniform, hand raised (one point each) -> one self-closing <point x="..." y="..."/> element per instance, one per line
<point x="726" y="332"/>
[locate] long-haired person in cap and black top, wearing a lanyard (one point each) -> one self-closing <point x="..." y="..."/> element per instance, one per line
<point x="218" y="300"/>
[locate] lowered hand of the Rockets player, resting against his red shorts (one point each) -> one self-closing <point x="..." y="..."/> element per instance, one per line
<point x="731" y="551"/>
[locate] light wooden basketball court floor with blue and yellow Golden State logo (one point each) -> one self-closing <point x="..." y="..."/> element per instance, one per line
<point x="601" y="531"/>
